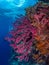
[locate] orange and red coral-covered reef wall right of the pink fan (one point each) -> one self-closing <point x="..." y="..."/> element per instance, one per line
<point x="40" y="20"/>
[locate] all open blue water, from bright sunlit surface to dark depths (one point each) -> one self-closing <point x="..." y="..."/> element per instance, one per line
<point x="9" y="9"/>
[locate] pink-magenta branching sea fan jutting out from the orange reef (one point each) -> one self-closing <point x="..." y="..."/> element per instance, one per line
<point x="22" y="37"/>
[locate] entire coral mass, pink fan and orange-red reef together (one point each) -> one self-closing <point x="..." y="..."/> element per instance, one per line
<point x="31" y="37"/>
